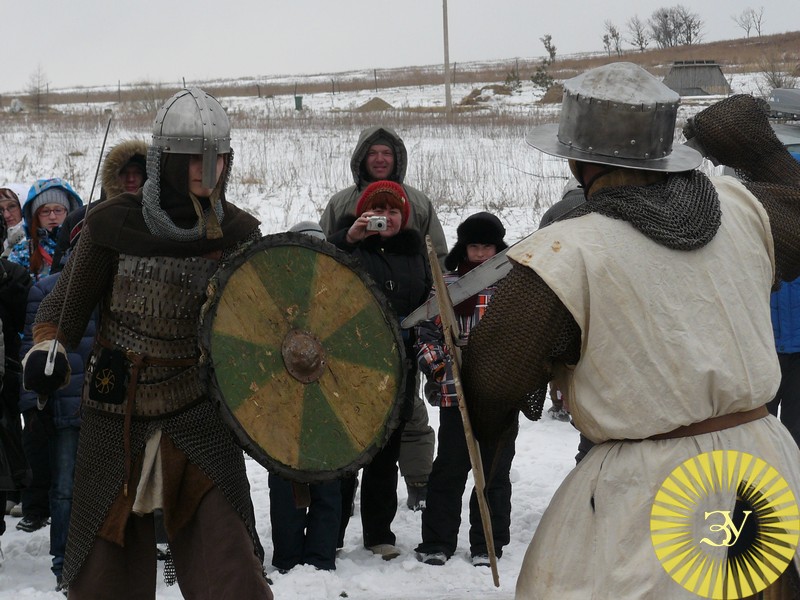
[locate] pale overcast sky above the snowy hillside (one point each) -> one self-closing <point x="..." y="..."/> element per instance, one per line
<point x="88" y="43"/>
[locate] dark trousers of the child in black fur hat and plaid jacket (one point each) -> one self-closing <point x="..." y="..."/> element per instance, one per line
<point x="441" y="518"/>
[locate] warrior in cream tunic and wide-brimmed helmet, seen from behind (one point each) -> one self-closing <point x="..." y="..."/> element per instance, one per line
<point x="648" y="305"/>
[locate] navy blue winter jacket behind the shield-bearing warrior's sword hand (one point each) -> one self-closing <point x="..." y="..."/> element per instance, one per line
<point x="64" y="404"/>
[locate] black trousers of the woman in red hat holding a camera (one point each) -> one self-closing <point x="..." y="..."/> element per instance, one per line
<point x="378" y="495"/>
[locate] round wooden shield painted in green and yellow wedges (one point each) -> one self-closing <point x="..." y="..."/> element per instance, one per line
<point x="304" y="358"/>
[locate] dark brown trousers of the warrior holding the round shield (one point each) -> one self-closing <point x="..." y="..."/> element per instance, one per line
<point x="213" y="558"/>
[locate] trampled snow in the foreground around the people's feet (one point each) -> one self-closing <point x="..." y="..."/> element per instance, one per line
<point x="545" y="451"/>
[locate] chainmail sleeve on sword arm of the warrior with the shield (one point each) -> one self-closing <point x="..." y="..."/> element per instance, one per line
<point x="90" y="268"/>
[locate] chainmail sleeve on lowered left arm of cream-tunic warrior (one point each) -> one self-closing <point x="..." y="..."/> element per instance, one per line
<point x="534" y="330"/>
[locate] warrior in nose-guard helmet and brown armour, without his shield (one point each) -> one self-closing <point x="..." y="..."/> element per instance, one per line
<point x="150" y="437"/>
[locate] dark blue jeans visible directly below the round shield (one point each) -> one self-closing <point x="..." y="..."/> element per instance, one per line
<point x="304" y="536"/>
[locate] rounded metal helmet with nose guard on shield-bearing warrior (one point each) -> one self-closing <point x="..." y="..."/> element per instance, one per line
<point x="194" y="122"/>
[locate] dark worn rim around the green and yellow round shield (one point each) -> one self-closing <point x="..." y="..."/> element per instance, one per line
<point x="216" y="287"/>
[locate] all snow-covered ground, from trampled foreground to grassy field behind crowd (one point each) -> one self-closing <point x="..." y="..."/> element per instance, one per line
<point x="287" y="165"/>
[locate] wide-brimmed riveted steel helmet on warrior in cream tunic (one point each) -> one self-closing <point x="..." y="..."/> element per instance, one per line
<point x="619" y="115"/>
